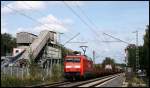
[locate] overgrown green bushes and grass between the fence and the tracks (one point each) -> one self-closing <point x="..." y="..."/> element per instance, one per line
<point x="36" y="76"/>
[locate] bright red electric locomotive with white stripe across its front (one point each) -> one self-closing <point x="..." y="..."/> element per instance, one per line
<point x="78" y="66"/>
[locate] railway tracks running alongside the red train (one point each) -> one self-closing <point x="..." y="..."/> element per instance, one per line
<point x="88" y="83"/>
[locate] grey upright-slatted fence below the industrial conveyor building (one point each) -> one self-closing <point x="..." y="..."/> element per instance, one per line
<point x="24" y="72"/>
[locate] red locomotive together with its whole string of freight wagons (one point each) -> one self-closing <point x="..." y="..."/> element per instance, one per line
<point x="81" y="67"/>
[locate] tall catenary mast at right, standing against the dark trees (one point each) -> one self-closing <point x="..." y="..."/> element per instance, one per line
<point x="137" y="51"/>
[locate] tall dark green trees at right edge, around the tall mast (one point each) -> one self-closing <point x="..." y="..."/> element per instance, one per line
<point x="143" y="53"/>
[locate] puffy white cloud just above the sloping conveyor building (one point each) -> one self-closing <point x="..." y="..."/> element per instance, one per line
<point x="49" y="22"/>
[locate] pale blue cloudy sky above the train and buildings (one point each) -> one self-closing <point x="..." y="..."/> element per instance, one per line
<point x="117" y="18"/>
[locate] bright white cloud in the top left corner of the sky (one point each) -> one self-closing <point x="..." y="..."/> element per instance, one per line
<point x="23" y="6"/>
